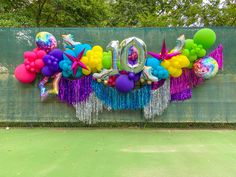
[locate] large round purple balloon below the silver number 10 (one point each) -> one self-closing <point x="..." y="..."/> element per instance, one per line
<point x="124" y="84"/>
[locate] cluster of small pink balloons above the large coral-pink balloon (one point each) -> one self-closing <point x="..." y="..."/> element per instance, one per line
<point x="33" y="60"/>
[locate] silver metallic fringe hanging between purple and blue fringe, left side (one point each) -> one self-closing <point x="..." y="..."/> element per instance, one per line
<point x="87" y="111"/>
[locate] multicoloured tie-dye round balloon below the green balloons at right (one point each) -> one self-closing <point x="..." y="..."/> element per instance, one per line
<point x="206" y="67"/>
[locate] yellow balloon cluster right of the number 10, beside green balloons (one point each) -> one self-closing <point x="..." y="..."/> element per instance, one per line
<point x="175" y="65"/>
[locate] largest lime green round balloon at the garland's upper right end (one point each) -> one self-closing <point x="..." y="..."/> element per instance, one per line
<point x="206" y="37"/>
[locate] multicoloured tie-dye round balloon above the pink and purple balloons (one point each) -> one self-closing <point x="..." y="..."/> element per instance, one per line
<point x="45" y="41"/>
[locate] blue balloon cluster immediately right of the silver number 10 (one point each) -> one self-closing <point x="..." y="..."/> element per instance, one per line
<point x="157" y="70"/>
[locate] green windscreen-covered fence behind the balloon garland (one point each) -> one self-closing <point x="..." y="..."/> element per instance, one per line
<point x="214" y="101"/>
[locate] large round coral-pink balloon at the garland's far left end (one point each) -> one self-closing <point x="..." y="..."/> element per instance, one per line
<point x="23" y="75"/>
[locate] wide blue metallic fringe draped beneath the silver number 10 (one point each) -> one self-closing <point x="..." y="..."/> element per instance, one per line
<point x="116" y="100"/>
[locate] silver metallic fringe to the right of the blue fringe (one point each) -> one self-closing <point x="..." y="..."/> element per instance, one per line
<point x="160" y="99"/>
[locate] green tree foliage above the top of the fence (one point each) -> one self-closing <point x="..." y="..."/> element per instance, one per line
<point x="100" y="13"/>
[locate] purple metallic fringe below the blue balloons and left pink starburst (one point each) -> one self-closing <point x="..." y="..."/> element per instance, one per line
<point x="74" y="91"/>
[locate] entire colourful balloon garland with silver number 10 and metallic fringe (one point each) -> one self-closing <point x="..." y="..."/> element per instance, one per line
<point x="123" y="76"/>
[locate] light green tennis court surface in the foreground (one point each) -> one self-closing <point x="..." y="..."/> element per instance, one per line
<point x="117" y="153"/>
